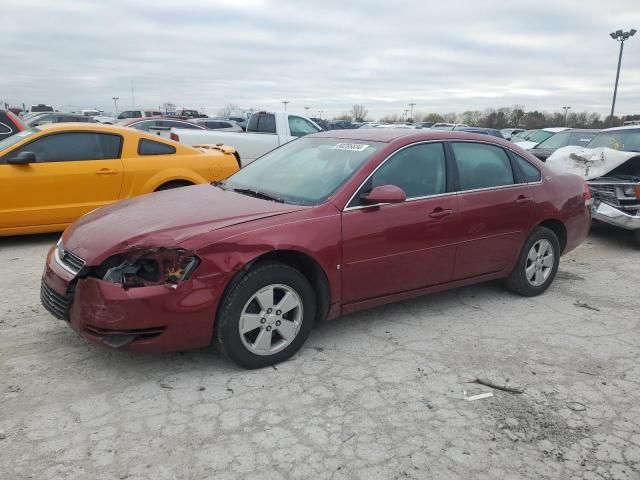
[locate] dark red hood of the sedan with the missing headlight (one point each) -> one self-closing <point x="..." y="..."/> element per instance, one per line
<point x="164" y="219"/>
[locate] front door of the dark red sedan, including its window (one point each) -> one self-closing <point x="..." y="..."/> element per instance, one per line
<point x="406" y="246"/>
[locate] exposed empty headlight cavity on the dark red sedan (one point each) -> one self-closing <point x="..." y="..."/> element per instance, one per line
<point x="147" y="267"/>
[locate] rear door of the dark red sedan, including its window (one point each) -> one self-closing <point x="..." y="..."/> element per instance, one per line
<point x="494" y="209"/>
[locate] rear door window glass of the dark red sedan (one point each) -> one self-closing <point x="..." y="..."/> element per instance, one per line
<point x="481" y="165"/>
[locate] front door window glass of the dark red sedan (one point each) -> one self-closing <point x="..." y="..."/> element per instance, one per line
<point x="419" y="171"/>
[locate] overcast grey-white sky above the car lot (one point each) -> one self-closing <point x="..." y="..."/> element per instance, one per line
<point x="446" y="56"/>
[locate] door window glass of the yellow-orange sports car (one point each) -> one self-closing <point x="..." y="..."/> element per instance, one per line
<point x="68" y="147"/>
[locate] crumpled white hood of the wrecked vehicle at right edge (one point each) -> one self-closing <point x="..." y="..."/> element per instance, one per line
<point x="589" y="163"/>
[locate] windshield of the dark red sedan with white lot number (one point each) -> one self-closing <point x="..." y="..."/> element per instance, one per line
<point x="304" y="172"/>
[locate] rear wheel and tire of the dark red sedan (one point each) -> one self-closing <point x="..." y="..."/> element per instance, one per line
<point x="537" y="264"/>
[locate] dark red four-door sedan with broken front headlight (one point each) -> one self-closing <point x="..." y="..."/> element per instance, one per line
<point x="326" y="225"/>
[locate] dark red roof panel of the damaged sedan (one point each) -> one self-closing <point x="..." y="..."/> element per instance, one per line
<point x="388" y="135"/>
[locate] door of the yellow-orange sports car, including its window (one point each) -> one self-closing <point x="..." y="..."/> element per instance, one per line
<point x="74" y="173"/>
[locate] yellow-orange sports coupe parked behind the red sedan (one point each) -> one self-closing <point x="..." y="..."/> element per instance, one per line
<point x="51" y="175"/>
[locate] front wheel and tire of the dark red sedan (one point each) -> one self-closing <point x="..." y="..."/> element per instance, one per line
<point x="266" y="317"/>
